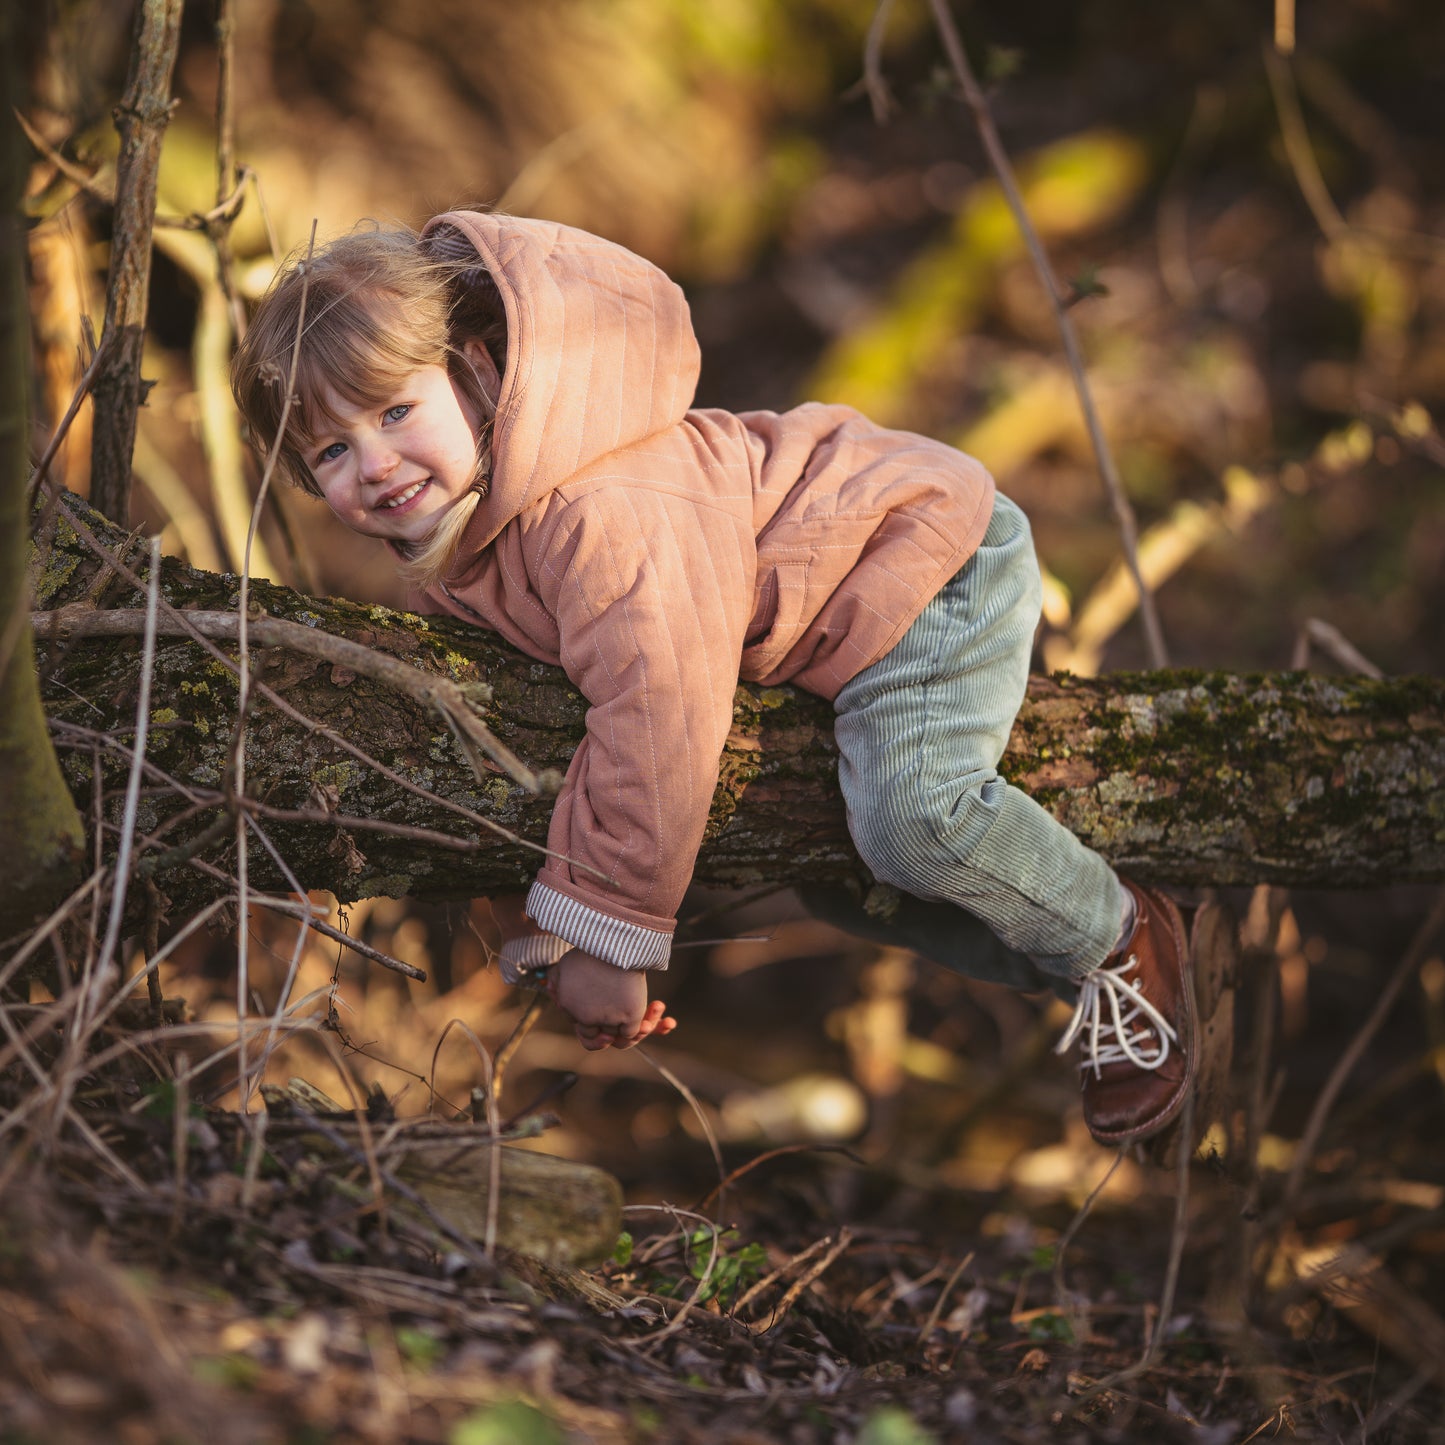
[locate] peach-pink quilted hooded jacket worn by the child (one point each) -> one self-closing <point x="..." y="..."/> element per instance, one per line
<point x="661" y="553"/>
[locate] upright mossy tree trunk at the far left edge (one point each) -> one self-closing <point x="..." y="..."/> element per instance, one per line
<point x="44" y="833"/>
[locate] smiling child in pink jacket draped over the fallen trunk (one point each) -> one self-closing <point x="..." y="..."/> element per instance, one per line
<point x="508" y="405"/>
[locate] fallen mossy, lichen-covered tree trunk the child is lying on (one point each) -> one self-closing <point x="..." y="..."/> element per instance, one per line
<point x="1186" y="778"/>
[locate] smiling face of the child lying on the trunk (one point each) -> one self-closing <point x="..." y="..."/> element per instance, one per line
<point x="392" y="470"/>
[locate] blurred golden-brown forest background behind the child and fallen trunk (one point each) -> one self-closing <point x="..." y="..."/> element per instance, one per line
<point x="1256" y="251"/>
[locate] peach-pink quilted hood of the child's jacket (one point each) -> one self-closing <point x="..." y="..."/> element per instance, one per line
<point x="600" y="355"/>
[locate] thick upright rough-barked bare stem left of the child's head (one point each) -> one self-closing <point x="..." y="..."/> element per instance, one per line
<point x="142" y="119"/>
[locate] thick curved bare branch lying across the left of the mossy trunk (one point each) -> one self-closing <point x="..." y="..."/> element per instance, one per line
<point x="447" y="697"/>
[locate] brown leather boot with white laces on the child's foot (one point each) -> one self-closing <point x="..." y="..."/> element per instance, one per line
<point x="1135" y="1027"/>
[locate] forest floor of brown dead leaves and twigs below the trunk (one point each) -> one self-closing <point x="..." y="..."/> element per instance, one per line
<point x="933" y="1281"/>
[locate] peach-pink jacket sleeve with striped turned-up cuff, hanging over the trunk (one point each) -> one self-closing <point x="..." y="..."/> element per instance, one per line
<point x="652" y="595"/>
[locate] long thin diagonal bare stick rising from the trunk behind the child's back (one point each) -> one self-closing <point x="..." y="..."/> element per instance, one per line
<point x="1004" y="168"/>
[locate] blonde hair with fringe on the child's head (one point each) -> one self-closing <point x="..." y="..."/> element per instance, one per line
<point x="372" y="309"/>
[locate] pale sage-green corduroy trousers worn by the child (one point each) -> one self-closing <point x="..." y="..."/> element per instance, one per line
<point x="920" y="738"/>
